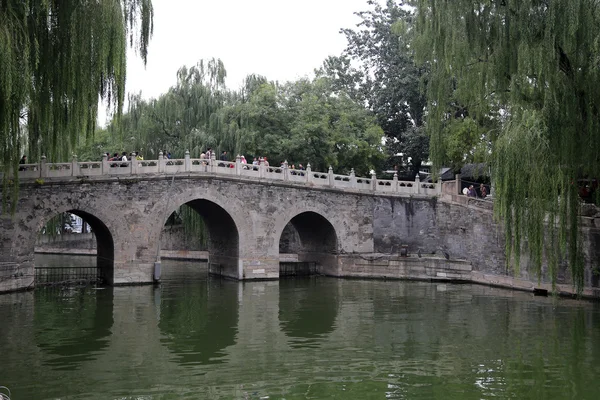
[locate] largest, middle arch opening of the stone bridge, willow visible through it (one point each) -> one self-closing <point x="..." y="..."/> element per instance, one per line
<point x="202" y="231"/>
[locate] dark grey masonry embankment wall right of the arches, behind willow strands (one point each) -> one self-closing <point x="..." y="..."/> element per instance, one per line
<point x="466" y="231"/>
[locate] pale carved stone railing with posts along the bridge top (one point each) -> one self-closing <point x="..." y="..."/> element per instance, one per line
<point x="228" y="168"/>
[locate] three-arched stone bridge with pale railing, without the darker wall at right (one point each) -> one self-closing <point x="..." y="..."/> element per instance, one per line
<point x="246" y="210"/>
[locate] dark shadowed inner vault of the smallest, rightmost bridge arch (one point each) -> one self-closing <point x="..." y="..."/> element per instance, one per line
<point x="313" y="238"/>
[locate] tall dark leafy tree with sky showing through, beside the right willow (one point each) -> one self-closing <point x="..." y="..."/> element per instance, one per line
<point x="385" y="77"/>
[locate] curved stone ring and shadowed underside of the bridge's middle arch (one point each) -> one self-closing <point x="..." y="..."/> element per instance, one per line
<point x="224" y="220"/>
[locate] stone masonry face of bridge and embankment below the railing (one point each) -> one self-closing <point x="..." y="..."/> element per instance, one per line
<point x="246" y="220"/>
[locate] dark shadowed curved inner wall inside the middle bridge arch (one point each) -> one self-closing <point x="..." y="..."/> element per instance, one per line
<point x="223" y="237"/>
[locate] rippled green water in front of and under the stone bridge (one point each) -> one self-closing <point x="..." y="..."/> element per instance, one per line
<point x="196" y="337"/>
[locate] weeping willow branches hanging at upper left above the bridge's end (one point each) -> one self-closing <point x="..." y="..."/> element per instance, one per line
<point x="57" y="58"/>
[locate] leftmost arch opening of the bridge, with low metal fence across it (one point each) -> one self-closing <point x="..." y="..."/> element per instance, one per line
<point x="78" y="235"/>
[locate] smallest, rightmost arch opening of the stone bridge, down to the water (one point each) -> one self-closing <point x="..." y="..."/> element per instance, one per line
<point x="308" y="245"/>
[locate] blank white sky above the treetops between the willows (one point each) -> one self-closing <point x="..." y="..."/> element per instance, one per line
<point x="280" y="39"/>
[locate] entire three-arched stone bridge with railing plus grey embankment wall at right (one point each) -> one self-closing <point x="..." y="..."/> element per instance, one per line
<point x="346" y="225"/>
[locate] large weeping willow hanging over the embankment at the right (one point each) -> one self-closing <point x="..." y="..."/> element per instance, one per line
<point x="538" y="62"/>
